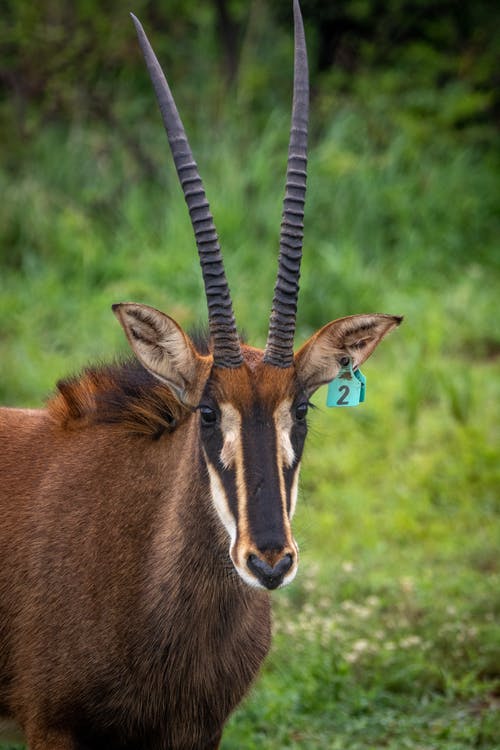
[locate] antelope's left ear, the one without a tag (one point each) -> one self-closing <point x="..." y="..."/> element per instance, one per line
<point x="163" y="348"/>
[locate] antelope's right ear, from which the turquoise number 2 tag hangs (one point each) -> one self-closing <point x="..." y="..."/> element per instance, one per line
<point x="319" y="359"/>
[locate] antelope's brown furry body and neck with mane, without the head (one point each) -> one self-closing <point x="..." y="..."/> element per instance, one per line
<point x="123" y="623"/>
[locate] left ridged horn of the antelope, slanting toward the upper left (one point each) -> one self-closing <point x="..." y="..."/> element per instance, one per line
<point x="227" y="350"/>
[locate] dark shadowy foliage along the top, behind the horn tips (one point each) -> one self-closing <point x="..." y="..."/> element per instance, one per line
<point x="66" y="61"/>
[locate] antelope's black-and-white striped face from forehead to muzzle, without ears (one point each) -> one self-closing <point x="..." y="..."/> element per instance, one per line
<point x="252" y="429"/>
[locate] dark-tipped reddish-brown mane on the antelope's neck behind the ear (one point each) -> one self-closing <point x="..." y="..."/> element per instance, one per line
<point x="123" y="393"/>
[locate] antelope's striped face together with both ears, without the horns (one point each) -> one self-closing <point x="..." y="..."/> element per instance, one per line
<point x="251" y="425"/>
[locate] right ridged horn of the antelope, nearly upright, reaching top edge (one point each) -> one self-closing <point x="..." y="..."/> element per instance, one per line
<point x="279" y="347"/>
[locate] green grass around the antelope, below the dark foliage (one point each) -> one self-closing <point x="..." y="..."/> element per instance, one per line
<point x="389" y="637"/>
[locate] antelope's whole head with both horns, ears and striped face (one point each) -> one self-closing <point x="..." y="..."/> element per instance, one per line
<point x="251" y="405"/>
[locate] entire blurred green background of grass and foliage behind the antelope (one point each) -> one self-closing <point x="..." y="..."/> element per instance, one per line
<point x="394" y="634"/>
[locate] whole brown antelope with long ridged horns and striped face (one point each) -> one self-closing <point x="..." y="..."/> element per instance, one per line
<point x="146" y="511"/>
